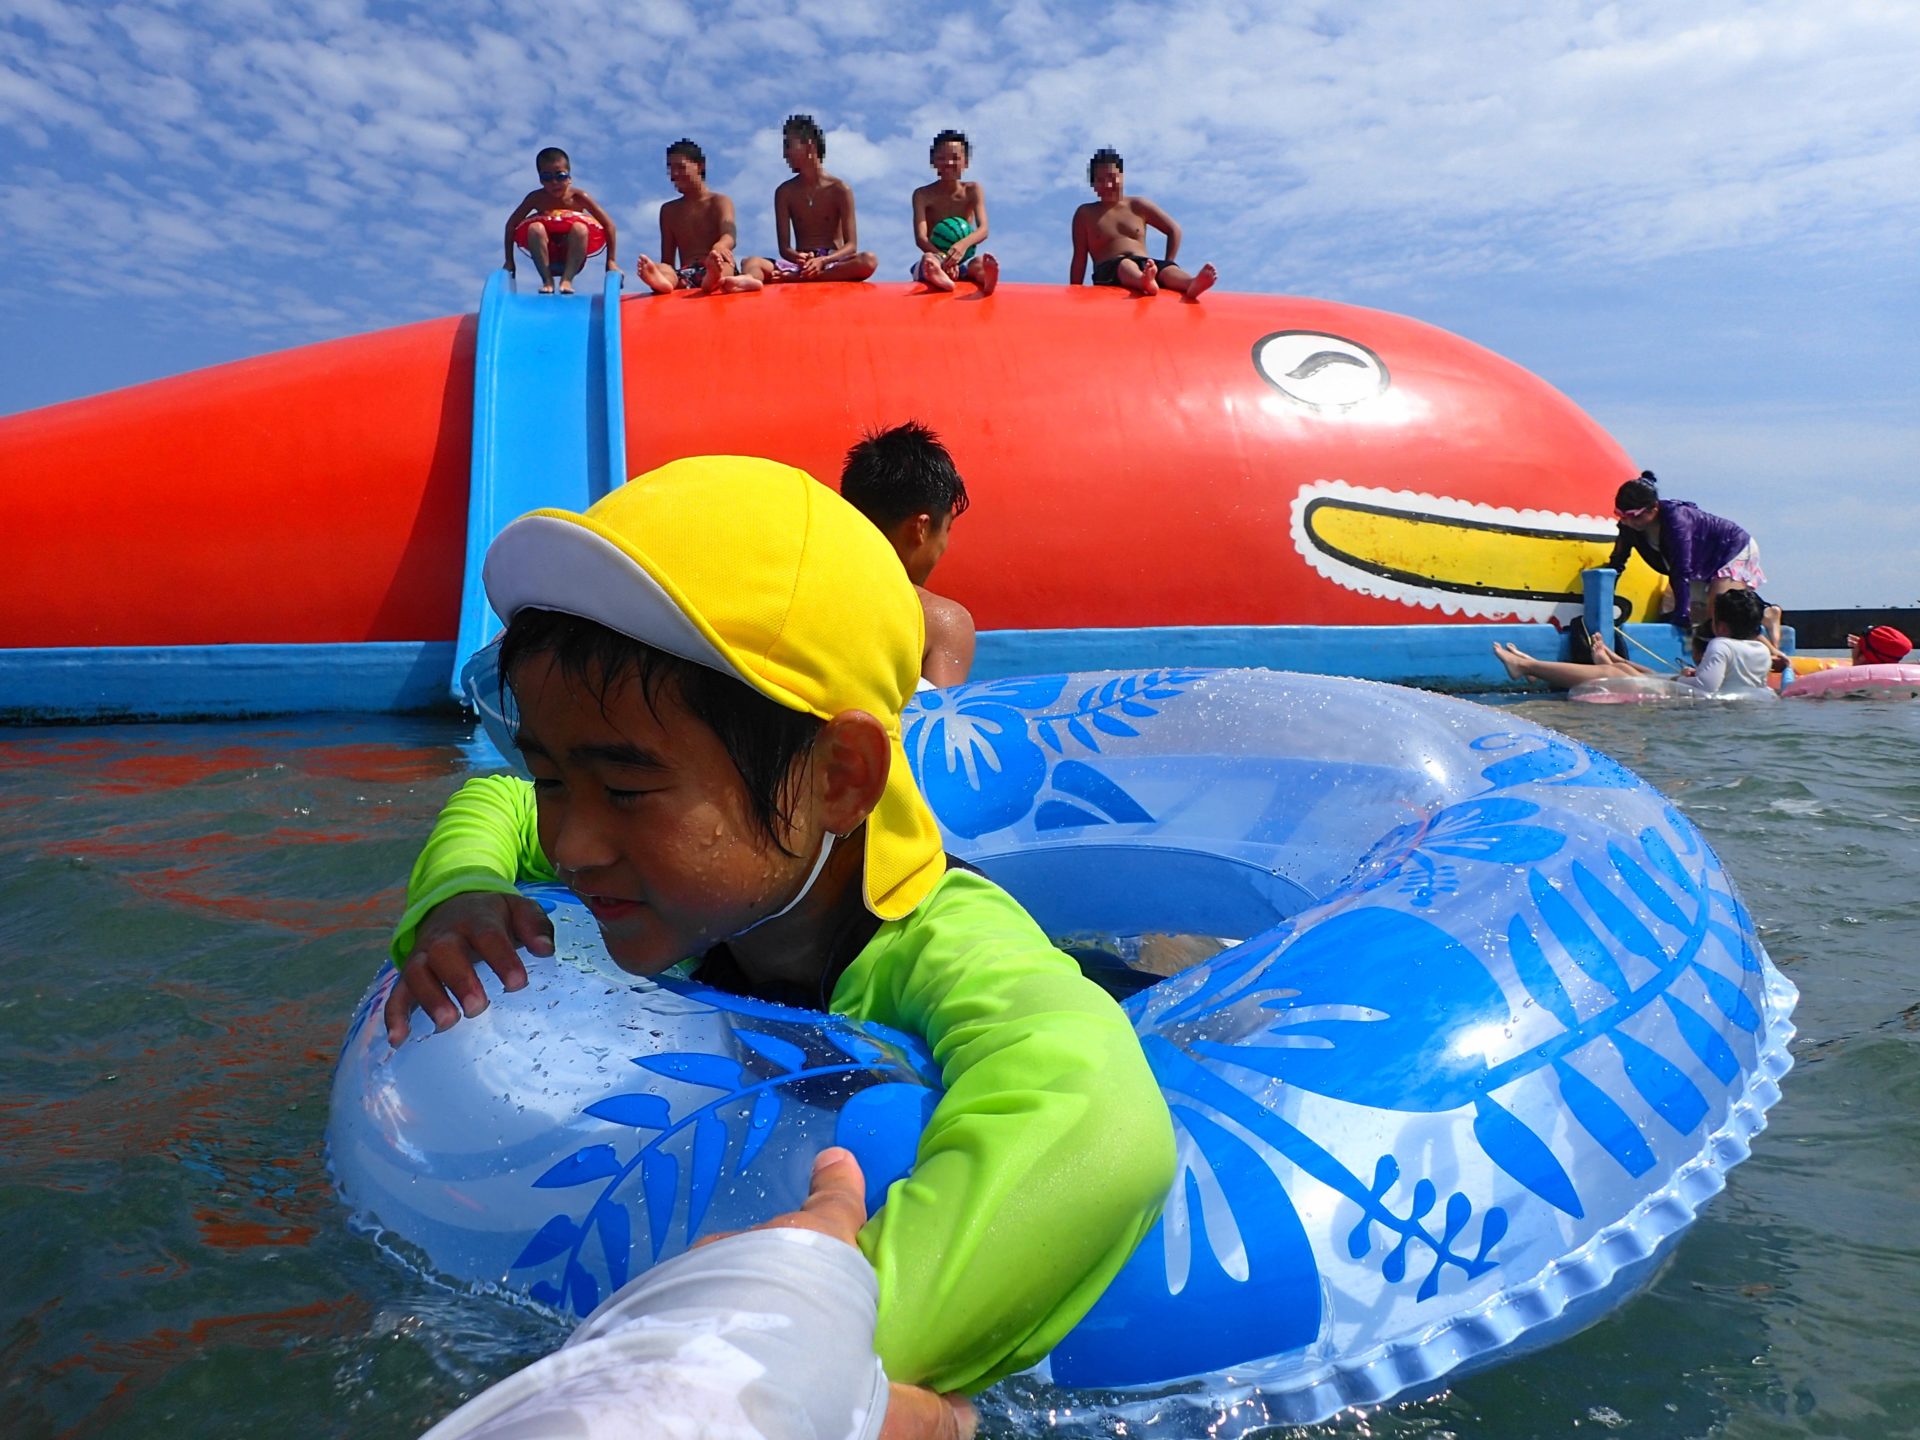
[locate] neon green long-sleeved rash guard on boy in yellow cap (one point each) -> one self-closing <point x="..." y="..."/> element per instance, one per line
<point x="1044" y="1164"/>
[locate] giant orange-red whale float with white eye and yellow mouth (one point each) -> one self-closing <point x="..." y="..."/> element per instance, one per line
<point x="1141" y="466"/>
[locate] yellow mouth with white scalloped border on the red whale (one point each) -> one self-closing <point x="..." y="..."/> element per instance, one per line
<point x="1458" y="556"/>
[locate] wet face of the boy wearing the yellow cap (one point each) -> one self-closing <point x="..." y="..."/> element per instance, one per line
<point x="646" y="817"/>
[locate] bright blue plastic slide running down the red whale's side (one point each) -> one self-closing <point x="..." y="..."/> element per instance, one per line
<point x="550" y="425"/>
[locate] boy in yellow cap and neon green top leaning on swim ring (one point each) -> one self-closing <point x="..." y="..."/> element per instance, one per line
<point x="709" y="669"/>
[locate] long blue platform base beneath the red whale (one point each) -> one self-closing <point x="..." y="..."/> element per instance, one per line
<point x="197" y="683"/>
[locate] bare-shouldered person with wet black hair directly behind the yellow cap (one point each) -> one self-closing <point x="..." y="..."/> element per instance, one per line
<point x="907" y="485"/>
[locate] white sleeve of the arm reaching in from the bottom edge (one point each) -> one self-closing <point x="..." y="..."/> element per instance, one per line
<point x="765" y="1335"/>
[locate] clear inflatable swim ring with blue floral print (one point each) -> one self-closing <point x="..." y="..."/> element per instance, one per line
<point x="1499" y="1030"/>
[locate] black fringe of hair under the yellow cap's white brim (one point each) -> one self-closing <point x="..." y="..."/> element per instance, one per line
<point x="767" y="742"/>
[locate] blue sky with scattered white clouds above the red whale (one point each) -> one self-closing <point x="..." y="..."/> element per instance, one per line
<point x="1700" y="220"/>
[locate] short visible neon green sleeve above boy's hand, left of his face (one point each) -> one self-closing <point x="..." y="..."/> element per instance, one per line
<point x="485" y="840"/>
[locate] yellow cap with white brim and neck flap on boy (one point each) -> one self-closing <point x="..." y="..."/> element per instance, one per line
<point x="759" y="571"/>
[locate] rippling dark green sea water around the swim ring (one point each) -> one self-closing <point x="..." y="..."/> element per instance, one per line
<point x="189" y="913"/>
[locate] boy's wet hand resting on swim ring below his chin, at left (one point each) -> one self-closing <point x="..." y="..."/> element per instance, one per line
<point x="454" y="938"/>
